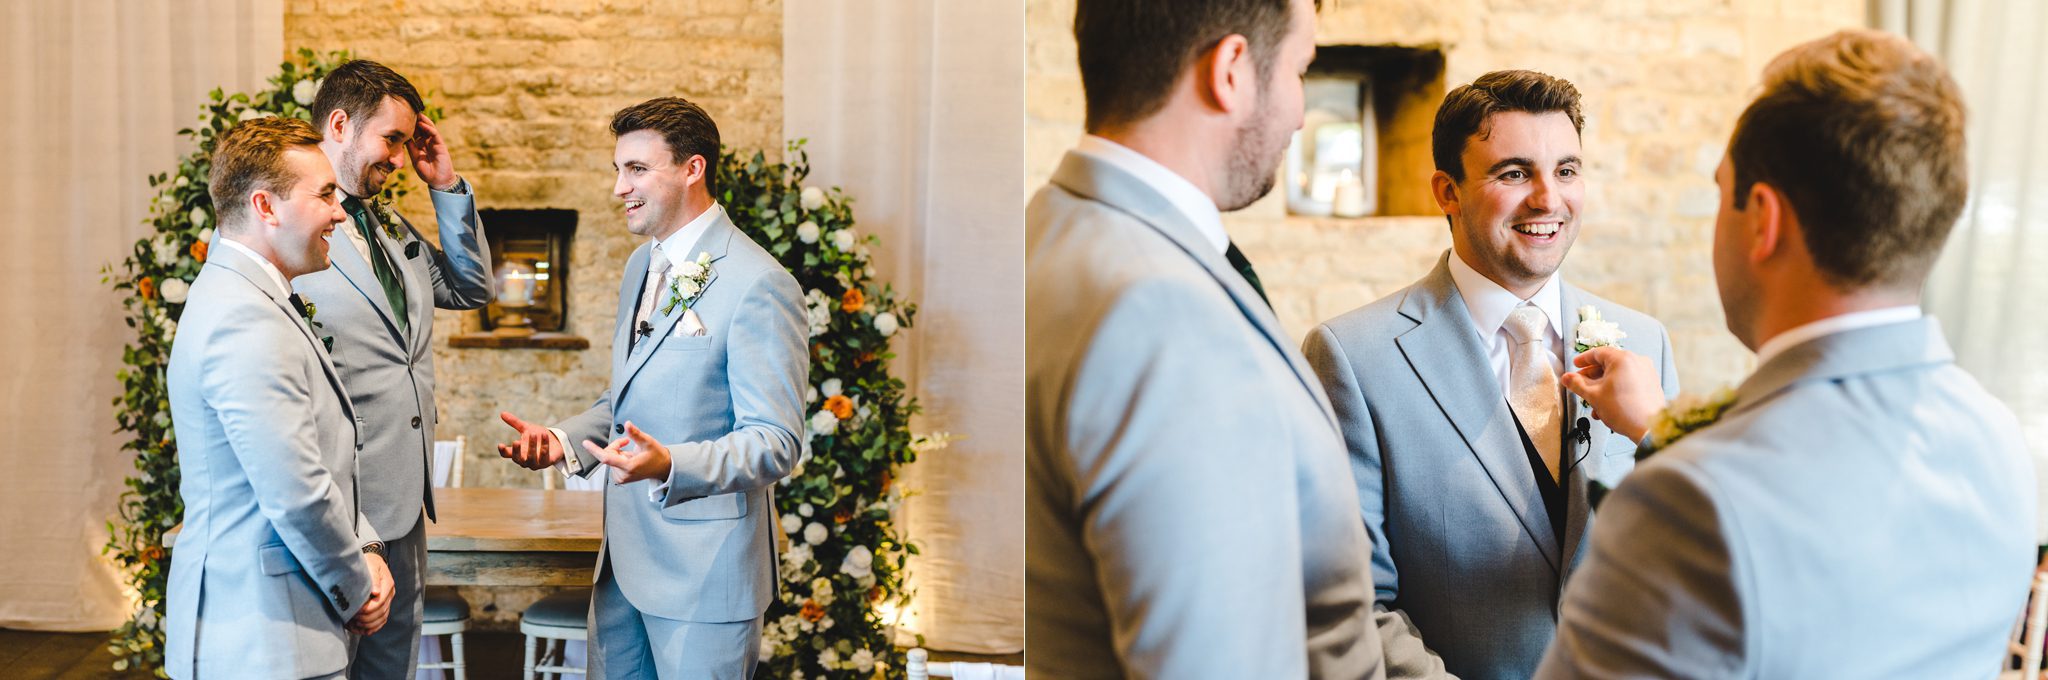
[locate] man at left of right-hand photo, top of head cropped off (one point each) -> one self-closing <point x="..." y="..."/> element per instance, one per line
<point x="1187" y="505"/>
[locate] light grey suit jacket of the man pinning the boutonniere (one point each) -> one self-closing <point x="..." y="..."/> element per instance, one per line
<point x="1865" y="511"/>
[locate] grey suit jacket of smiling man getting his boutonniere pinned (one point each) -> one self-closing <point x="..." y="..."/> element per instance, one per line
<point x="1463" y="544"/>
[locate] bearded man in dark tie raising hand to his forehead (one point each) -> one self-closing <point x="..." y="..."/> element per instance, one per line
<point x="378" y="306"/>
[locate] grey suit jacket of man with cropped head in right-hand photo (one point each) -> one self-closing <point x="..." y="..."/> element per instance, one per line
<point x="1189" y="511"/>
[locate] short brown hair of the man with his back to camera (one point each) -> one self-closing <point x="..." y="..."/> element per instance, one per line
<point x="1863" y="134"/>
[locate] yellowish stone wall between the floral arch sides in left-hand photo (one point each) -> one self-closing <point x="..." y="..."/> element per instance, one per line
<point x="527" y="89"/>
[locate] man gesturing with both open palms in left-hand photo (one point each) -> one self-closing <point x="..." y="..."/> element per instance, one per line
<point x="710" y="370"/>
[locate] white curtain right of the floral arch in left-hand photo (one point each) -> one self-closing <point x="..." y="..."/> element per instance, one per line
<point x="916" y="108"/>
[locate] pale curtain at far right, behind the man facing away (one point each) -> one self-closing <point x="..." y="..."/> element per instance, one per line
<point x="1990" y="288"/>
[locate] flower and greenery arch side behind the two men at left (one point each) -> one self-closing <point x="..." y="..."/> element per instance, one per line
<point x="157" y="278"/>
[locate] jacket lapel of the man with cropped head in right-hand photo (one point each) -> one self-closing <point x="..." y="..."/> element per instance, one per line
<point x="1109" y="185"/>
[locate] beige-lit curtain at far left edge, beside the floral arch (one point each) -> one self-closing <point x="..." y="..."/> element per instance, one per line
<point x="95" y="95"/>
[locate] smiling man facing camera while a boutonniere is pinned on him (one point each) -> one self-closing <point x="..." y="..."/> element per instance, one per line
<point x="1474" y="468"/>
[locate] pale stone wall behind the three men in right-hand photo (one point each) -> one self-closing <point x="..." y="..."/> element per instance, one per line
<point x="1662" y="79"/>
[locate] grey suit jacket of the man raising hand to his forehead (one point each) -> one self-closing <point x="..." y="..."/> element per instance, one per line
<point x="390" y="374"/>
